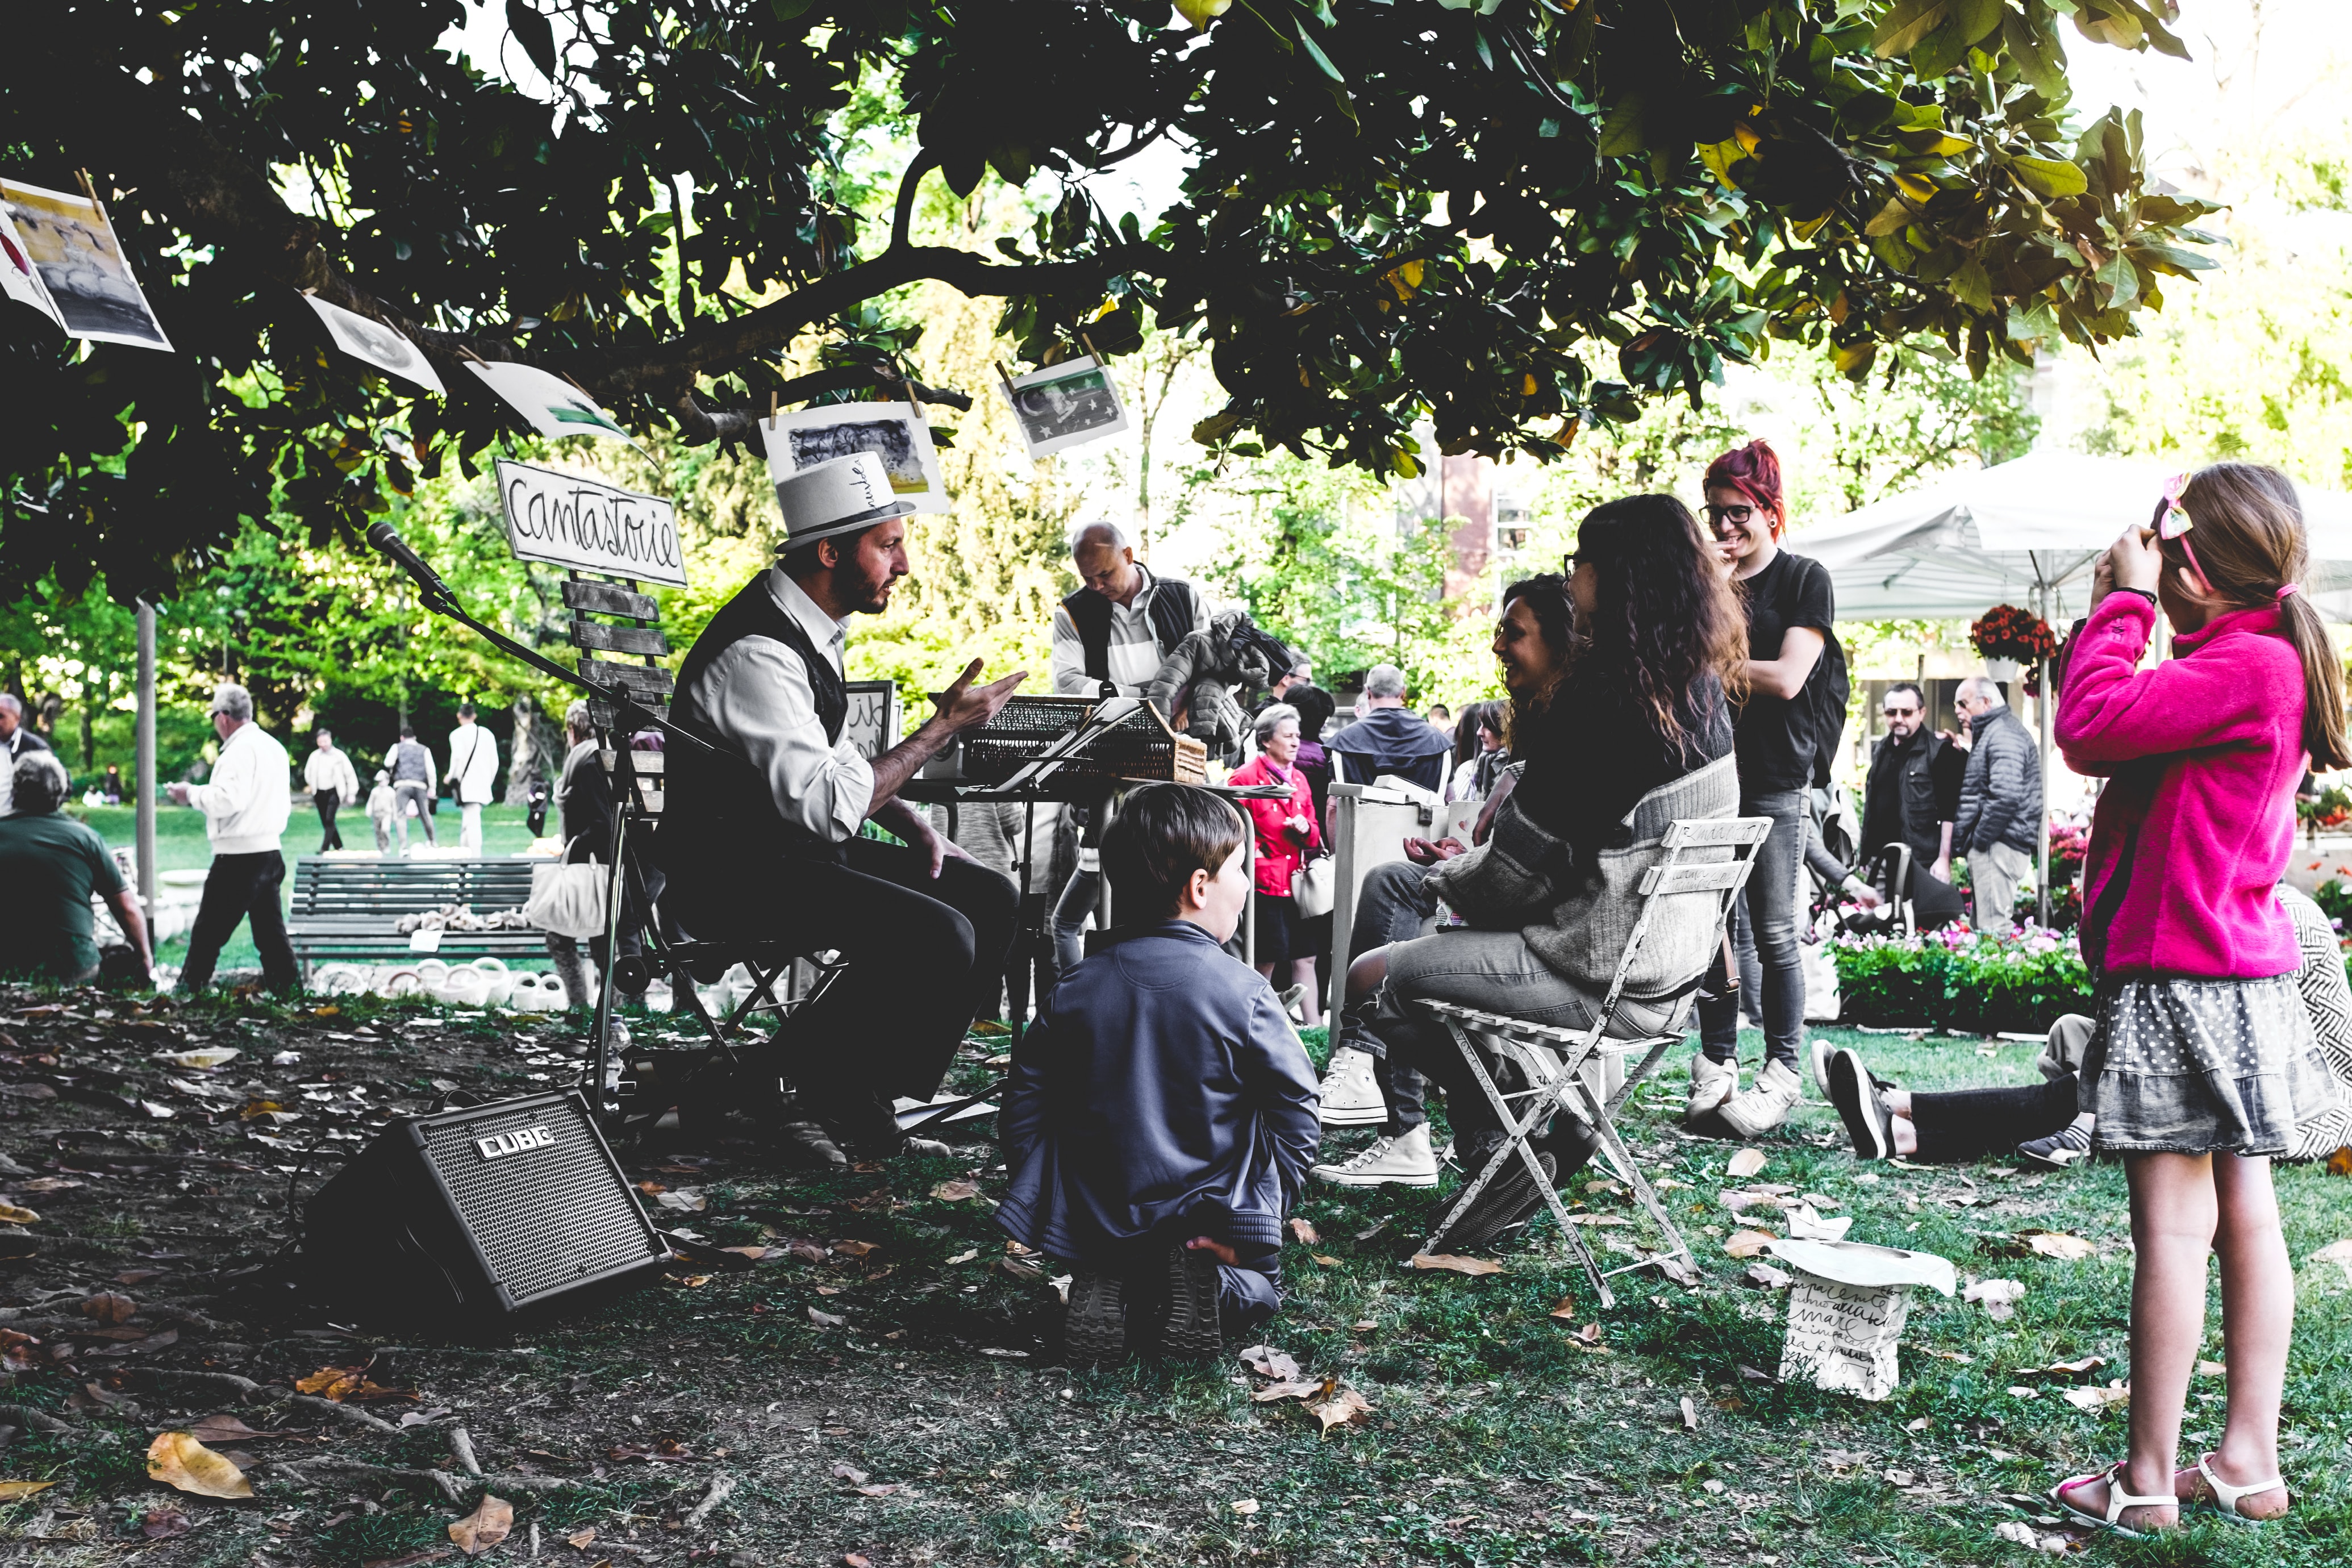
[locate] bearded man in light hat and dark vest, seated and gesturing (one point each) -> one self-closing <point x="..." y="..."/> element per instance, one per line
<point x="773" y="850"/>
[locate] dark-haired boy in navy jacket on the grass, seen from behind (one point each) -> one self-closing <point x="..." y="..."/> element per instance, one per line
<point x="1161" y="1115"/>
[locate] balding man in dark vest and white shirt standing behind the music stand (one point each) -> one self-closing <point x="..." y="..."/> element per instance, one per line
<point x="1118" y="626"/>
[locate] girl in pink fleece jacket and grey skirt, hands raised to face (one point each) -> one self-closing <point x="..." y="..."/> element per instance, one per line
<point x="2203" y="1059"/>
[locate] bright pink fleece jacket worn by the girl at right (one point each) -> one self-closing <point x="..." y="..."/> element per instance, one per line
<point x="2198" y="819"/>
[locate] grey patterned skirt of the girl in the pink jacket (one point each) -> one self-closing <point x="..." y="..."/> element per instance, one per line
<point x="2205" y="1066"/>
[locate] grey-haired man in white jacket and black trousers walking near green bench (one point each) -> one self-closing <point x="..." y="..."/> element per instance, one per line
<point x="246" y="817"/>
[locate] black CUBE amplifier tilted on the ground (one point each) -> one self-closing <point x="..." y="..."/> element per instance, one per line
<point x="481" y="1217"/>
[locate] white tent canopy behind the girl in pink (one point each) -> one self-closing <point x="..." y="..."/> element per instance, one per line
<point x="2005" y="535"/>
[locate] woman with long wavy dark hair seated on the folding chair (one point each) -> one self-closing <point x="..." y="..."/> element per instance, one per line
<point x="1633" y="735"/>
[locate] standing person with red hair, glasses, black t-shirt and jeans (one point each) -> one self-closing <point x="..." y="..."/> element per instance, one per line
<point x="1789" y="626"/>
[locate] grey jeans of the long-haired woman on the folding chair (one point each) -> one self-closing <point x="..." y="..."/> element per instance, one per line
<point x="1499" y="974"/>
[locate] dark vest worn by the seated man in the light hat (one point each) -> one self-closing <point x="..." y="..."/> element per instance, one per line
<point x="723" y="808"/>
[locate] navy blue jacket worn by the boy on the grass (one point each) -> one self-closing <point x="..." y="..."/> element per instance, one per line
<point x="1161" y="1097"/>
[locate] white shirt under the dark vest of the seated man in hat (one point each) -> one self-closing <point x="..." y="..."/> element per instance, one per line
<point x="759" y="697"/>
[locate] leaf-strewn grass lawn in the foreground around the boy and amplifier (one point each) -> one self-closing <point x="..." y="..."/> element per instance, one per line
<point x="900" y="1398"/>
